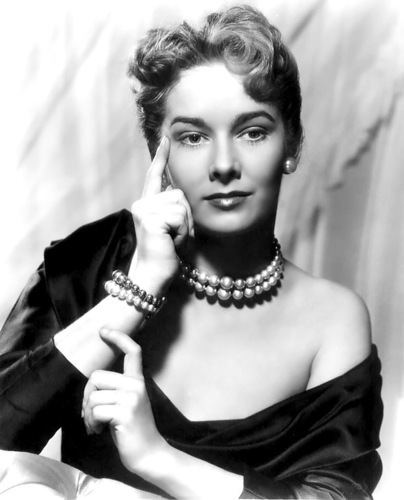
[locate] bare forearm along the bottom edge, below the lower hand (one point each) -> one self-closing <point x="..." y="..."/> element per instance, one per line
<point x="184" y="476"/>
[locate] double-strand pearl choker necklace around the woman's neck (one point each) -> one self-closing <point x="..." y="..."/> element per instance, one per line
<point x="226" y="288"/>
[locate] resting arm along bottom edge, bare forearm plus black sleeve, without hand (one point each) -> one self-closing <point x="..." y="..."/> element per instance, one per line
<point x="184" y="476"/>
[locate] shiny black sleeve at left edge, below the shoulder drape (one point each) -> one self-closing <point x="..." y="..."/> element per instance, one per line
<point x="35" y="378"/>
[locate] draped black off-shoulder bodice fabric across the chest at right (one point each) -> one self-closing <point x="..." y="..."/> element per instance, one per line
<point x="325" y="432"/>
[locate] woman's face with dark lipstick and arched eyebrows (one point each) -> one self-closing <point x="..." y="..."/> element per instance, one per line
<point x="226" y="150"/>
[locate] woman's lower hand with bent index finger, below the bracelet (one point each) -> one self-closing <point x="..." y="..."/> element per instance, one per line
<point x="121" y="401"/>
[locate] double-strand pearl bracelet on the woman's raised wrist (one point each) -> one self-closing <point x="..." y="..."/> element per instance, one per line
<point x="123" y="288"/>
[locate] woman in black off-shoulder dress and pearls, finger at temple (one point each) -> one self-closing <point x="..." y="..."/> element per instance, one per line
<point x="251" y="378"/>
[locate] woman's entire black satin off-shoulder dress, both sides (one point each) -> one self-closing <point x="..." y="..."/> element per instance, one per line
<point x="316" y="444"/>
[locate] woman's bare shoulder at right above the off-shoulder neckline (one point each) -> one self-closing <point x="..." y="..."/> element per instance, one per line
<point x="342" y="324"/>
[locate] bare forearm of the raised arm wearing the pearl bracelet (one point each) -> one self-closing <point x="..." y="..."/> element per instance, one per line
<point x="80" y="342"/>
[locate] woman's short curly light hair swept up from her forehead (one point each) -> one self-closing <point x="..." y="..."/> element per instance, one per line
<point x="245" y="41"/>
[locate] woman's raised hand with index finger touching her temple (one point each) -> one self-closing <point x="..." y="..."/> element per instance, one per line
<point x="163" y="223"/>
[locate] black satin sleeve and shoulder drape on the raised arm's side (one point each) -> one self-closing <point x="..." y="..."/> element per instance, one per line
<point x="36" y="380"/>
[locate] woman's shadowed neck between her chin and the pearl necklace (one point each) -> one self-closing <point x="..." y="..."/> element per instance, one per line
<point x="239" y="255"/>
